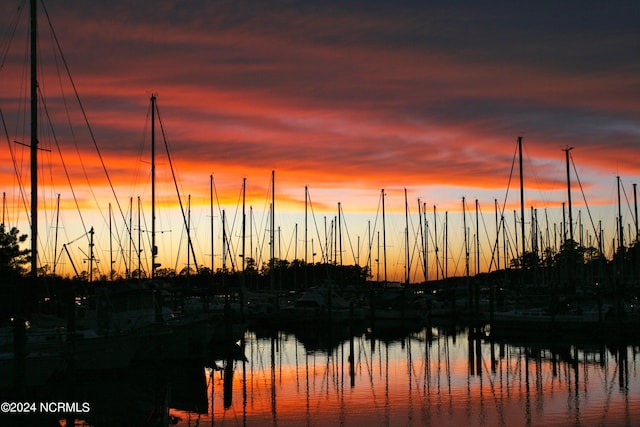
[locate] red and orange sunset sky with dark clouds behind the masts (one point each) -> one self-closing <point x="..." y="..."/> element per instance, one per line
<point x="347" y="98"/>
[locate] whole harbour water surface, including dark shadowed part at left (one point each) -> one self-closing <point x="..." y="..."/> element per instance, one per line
<point x="381" y="376"/>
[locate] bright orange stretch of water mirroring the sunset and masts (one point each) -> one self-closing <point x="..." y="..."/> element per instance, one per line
<point x="430" y="376"/>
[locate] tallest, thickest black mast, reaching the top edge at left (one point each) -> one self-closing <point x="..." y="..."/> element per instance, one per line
<point x="34" y="139"/>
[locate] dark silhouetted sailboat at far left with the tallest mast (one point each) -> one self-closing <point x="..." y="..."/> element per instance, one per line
<point x="97" y="334"/>
